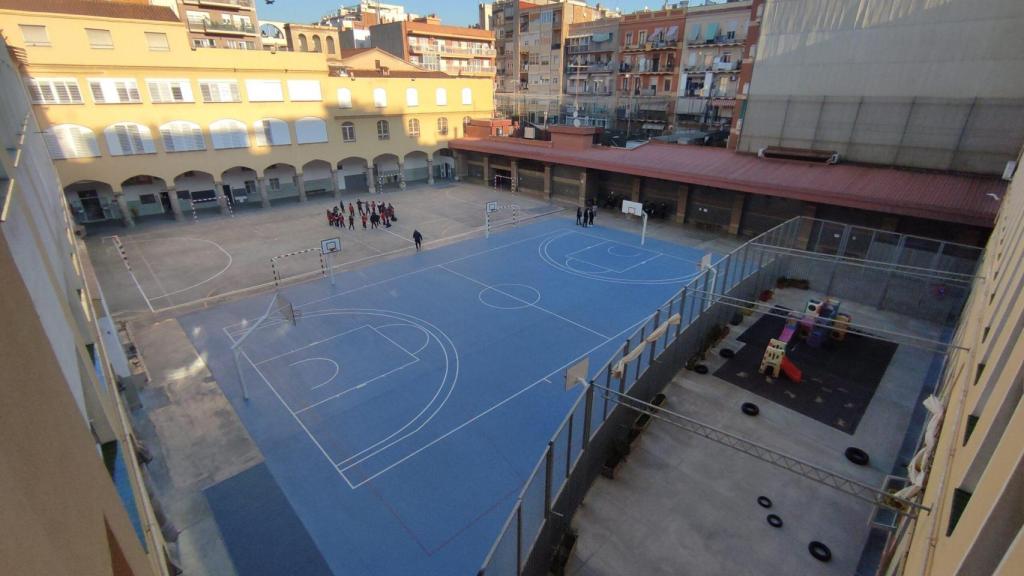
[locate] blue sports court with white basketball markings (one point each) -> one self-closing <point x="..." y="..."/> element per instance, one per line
<point x="402" y="414"/>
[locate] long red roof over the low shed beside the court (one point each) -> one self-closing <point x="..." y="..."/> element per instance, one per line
<point x="947" y="197"/>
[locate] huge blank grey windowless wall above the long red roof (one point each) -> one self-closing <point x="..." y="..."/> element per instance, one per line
<point x="870" y="81"/>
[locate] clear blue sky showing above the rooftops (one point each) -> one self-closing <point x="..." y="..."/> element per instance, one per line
<point x="461" y="13"/>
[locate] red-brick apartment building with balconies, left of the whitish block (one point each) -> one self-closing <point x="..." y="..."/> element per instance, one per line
<point x="651" y="51"/>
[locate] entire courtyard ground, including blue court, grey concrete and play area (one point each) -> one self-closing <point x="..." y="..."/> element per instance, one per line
<point x="394" y="413"/>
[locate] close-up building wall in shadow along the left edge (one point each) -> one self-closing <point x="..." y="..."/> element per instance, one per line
<point x="72" y="491"/>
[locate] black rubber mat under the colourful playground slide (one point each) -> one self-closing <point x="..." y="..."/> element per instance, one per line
<point x="839" y="380"/>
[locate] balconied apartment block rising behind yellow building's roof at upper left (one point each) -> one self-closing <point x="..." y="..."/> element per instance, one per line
<point x="222" y="24"/>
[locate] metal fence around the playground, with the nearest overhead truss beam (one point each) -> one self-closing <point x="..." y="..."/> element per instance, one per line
<point x="567" y="469"/>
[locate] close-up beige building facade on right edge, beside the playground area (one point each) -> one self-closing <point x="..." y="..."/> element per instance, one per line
<point x="972" y="460"/>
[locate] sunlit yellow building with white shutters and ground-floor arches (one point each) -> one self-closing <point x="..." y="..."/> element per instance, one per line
<point x="153" y="129"/>
